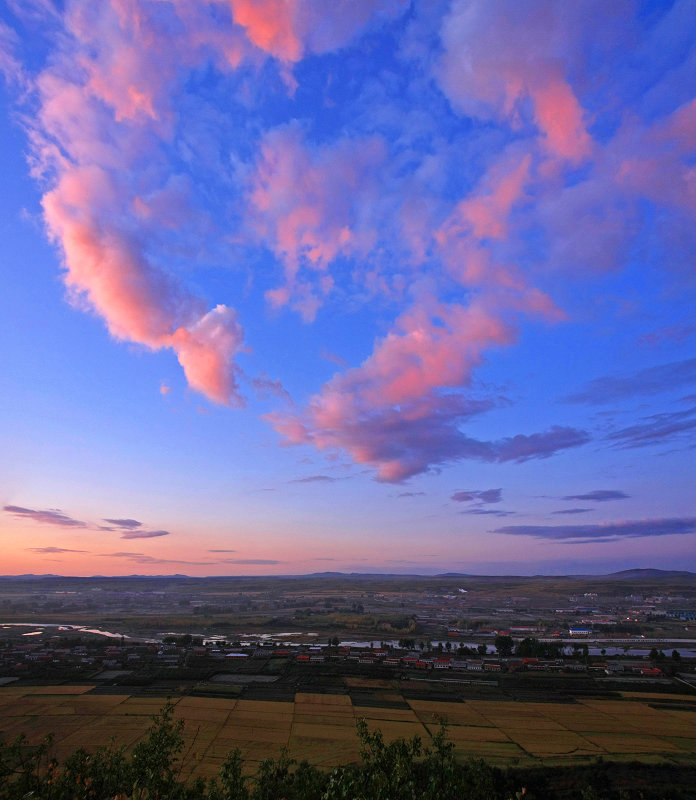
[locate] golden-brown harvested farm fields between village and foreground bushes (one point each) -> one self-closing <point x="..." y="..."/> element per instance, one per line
<point x="321" y="727"/>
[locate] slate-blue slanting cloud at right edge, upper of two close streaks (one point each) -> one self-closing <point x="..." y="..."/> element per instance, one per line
<point x="649" y="381"/>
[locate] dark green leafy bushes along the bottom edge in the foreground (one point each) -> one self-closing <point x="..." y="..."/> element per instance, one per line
<point x="399" y="770"/>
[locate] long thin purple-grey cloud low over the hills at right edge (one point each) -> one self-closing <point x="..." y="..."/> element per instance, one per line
<point x="604" y="531"/>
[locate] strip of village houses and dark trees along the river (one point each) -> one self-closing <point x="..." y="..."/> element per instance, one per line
<point x="61" y="656"/>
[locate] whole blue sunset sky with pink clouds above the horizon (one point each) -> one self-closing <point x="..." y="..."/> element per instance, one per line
<point x="396" y="286"/>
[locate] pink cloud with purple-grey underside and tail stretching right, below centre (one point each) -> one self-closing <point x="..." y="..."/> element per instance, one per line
<point x="401" y="411"/>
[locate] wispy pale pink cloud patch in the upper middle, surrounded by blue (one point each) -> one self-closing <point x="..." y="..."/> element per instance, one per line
<point x="309" y="204"/>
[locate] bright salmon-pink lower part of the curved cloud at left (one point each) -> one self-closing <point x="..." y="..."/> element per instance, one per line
<point x="138" y="302"/>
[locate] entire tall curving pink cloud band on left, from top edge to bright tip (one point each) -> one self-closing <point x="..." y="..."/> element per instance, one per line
<point x="90" y="131"/>
